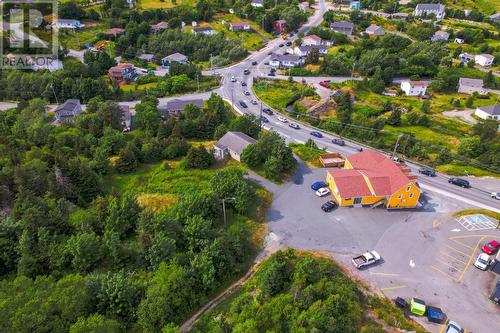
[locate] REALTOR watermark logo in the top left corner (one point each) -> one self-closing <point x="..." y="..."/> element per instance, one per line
<point x="29" y="40"/>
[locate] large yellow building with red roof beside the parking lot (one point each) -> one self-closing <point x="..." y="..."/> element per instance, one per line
<point x="370" y="179"/>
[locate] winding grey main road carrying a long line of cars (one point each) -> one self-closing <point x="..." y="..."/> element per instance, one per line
<point x="233" y="92"/>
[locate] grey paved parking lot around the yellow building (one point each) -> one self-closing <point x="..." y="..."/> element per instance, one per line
<point x="426" y="253"/>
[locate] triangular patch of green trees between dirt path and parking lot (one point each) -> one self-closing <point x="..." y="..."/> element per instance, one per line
<point x="300" y="292"/>
